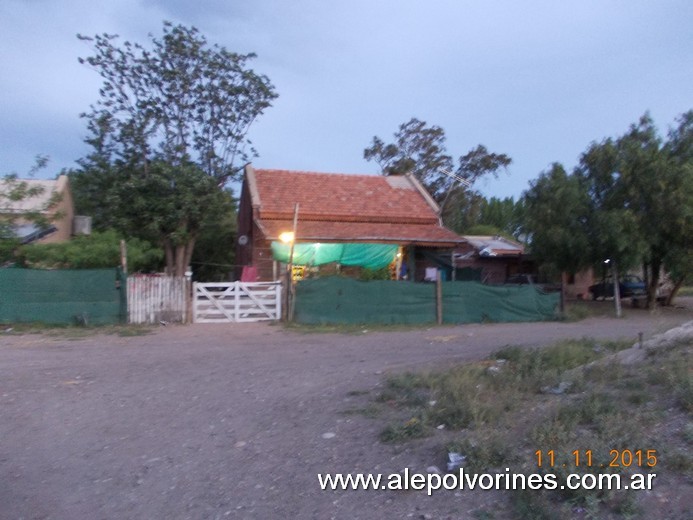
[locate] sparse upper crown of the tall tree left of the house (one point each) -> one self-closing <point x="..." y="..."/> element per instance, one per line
<point x="181" y="100"/>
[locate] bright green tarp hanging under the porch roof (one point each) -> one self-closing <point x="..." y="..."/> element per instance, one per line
<point x="370" y="256"/>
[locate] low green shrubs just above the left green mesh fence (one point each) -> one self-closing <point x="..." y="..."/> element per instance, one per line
<point x="99" y="250"/>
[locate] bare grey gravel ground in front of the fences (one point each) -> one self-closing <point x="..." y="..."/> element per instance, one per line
<point x="230" y="421"/>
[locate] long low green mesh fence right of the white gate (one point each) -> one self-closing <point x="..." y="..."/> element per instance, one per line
<point x="343" y="300"/>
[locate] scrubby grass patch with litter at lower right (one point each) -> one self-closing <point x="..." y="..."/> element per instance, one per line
<point x="566" y="397"/>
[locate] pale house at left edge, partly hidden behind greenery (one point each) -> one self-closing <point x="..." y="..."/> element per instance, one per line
<point x="51" y="205"/>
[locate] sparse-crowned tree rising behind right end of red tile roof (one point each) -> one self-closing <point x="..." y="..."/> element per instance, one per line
<point x="419" y="149"/>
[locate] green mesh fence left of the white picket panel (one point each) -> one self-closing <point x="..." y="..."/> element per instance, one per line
<point x="83" y="296"/>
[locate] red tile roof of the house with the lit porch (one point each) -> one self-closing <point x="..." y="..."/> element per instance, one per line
<point x="340" y="208"/>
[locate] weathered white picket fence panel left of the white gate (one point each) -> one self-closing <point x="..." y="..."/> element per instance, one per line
<point x="157" y="298"/>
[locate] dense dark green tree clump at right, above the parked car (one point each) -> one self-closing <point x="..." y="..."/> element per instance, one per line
<point x="637" y="205"/>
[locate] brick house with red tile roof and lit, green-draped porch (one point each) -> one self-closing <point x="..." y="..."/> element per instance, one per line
<point x="343" y="222"/>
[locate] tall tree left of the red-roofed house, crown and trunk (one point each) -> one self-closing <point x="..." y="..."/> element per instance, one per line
<point x="171" y="121"/>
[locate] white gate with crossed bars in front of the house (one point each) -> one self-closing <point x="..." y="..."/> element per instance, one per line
<point x="235" y="302"/>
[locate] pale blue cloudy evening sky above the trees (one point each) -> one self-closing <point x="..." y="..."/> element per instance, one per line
<point x="538" y="80"/>
